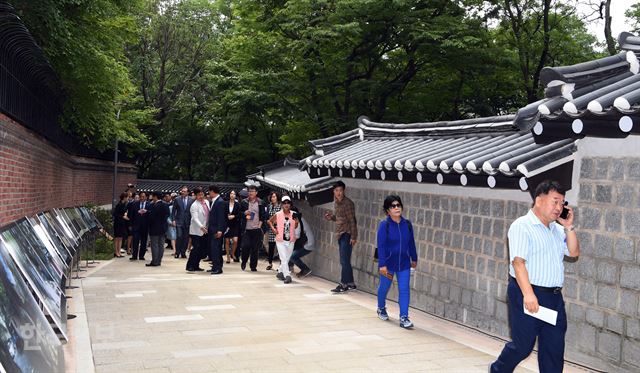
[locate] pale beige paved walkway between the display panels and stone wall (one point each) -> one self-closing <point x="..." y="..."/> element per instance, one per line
<point x="162" y="319"/>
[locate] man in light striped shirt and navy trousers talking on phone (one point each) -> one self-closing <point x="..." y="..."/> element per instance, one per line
<point x="538" y="243"/>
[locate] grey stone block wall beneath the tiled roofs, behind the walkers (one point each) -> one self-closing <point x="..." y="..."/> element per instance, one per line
<point x="463" y="260"/>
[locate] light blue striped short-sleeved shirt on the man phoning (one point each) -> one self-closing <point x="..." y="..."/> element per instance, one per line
<point x="543" y="250"/>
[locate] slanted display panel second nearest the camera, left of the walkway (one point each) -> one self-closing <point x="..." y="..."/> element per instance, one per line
<point x="44" y="285"/>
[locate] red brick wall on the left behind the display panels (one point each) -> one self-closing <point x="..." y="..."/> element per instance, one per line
<point x="35" y="175"/>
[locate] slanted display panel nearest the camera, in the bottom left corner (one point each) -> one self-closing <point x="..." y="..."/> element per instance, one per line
<point x="28" y="343"/>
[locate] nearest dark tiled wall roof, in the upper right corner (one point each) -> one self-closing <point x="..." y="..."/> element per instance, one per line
<point x="598" y="98"/>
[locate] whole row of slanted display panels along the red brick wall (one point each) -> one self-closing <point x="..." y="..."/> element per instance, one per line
<point x="36" y="259"/>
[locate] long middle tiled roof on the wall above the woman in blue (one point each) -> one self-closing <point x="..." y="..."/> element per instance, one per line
<point x="481" y="152"/>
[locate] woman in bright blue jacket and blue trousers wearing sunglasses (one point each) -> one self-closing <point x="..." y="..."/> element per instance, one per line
<point x="396" y="255"/>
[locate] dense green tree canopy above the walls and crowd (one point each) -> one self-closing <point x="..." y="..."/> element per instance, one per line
<point x="209" y="89"/>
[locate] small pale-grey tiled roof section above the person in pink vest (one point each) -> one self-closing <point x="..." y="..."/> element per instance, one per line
<point x="288" y="177"/>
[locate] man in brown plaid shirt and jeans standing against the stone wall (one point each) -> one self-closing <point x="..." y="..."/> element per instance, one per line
<point x="344" y="214"/>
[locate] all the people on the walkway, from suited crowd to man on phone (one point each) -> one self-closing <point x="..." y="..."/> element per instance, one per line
<point x="538" y="242"/>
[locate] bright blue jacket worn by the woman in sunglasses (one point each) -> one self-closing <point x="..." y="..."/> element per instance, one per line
<point x="396" y="245"/>
